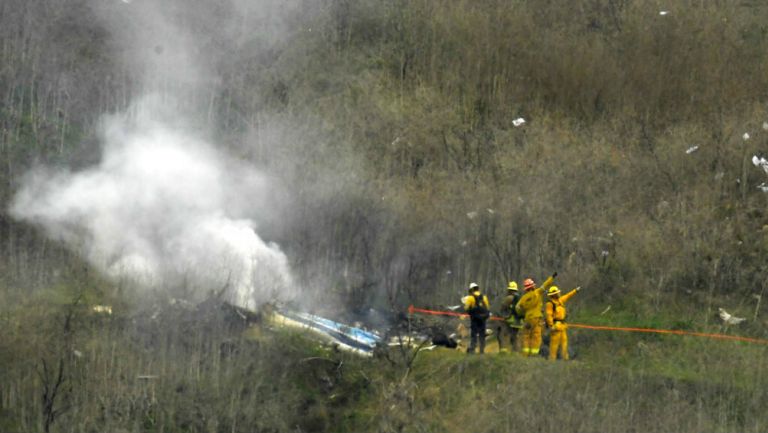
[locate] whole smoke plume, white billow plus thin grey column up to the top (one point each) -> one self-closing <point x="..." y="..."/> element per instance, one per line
<point x="165" y="207"/>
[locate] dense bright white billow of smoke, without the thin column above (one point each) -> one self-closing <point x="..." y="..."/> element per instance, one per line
<point x="162" y="208"/>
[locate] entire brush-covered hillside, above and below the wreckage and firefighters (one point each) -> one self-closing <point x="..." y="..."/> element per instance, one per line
<point x="389" y="123"/>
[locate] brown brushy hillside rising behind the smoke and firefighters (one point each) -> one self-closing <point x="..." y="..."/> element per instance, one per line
<point x="393" y="122"/>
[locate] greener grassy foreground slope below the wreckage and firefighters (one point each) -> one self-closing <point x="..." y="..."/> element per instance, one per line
<point x="172" y="374"/>
